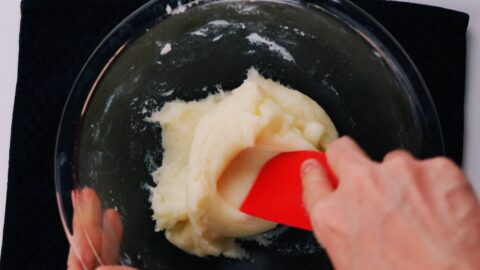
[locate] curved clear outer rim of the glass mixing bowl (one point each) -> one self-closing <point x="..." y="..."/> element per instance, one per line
<point x="156" y="11"/>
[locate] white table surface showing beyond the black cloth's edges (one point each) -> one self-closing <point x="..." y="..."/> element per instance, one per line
<point x="10" y="25"/>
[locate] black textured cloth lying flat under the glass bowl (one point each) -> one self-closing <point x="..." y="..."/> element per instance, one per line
<point x="56" y="38"/>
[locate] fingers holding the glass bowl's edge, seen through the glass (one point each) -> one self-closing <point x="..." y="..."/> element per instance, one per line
<point x="96" y="234"/>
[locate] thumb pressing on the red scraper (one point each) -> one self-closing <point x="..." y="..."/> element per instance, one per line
<point x="316" y="184"/>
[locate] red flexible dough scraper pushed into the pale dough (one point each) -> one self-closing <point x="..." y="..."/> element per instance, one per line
<point x="276" y="194"/>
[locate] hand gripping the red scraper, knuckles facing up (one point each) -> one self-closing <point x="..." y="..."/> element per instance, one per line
<point x="398" y="214"/>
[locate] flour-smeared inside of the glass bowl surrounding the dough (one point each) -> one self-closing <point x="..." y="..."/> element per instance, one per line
<point x="212" y="46"/>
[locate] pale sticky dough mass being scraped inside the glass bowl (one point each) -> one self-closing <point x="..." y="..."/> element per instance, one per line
<point x="214" y="148"/>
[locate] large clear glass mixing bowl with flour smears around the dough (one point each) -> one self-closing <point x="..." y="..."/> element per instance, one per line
<point x="331" y="51"/>
